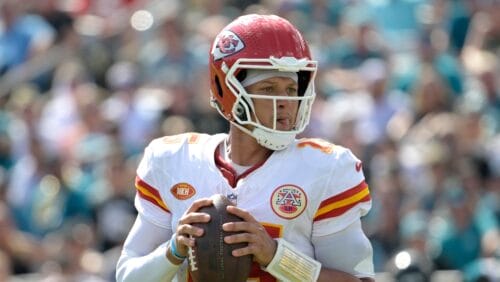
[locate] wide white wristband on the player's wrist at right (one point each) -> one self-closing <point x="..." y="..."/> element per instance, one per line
<point x="289" y="264"/>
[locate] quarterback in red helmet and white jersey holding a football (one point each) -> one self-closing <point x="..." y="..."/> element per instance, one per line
<point x="301" y="199"/>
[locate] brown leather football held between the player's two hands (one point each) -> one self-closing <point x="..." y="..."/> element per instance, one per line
<point x="211" y="259"/>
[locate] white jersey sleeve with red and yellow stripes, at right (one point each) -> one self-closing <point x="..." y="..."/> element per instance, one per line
<point x="346" y="197"/>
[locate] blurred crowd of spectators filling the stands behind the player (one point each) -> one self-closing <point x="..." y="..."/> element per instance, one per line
<point x="411" y="86"/>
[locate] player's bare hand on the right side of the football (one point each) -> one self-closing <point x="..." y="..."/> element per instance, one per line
<point x="260" y="244"/>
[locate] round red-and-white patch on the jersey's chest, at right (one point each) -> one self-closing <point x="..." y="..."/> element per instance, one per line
<point x="288" y="201"/>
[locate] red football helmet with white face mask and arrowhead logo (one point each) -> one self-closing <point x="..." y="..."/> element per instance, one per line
<point x="265" y="42"/>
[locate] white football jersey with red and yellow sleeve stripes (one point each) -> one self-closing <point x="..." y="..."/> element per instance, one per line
<point x="311" y="189"/>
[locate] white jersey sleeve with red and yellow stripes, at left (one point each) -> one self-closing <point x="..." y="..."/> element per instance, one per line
<point x="148" y="200"/>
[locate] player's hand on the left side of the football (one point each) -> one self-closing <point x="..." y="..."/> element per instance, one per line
<point x="185" y="227"/>
